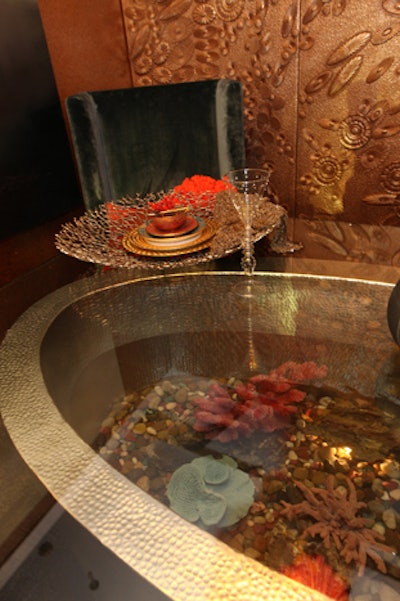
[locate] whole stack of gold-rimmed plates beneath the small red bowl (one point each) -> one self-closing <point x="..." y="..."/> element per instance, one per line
<point x="192" y="236"/>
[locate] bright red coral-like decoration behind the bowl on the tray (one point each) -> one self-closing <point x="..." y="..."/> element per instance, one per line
<point x="197" y="191"/>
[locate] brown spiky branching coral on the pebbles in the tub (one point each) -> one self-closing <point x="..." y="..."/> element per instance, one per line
<point x="336" y="521"/>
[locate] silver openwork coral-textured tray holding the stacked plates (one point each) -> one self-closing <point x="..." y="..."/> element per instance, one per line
<point x="98" y="235"/>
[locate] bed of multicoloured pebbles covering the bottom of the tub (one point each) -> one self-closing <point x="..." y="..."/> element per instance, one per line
<point x="333" y="437"/>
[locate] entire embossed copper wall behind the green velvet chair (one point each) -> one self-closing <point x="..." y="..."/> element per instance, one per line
<point x="321" y="90"/>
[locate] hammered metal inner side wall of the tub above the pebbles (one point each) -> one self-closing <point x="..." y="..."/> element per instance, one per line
<point x="123" y="338"/>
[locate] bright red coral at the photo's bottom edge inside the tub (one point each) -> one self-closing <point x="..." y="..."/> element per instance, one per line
<point x="317" y="574"/>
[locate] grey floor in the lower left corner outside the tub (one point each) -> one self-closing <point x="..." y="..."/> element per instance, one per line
<point x="61" y="561"/>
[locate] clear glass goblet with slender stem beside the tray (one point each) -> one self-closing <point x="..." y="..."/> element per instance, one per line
<point x="250" y="184"/>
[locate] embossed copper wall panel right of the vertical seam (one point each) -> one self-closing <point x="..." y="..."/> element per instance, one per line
<point x="348" y="102"/>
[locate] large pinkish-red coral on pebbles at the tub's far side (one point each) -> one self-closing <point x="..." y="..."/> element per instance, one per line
<point x="264" y="403"/>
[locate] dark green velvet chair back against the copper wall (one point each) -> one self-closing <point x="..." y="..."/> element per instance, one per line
<point x="147" y="139"/>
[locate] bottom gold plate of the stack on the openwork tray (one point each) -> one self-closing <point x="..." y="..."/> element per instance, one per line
<point x="134" y="242"/>
